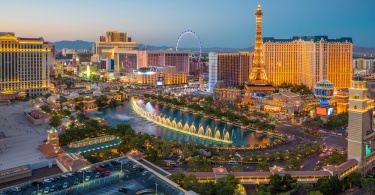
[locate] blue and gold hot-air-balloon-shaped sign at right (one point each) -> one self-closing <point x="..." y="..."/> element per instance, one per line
<point x="324" y="91"/>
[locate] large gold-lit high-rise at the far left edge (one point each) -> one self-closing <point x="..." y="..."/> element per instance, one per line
<point x="24" y="65"/>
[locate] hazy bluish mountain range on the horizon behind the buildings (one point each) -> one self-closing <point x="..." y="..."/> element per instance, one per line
<point x="79" y="44"/>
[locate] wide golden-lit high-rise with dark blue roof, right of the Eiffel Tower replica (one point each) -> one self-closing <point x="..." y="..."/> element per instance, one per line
<point x="308" y="59"/>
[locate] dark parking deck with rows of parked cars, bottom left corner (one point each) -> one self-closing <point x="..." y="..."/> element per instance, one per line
<point x="121" y="175"/>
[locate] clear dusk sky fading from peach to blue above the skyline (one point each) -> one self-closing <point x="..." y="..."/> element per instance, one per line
<point x="218" y="23"/>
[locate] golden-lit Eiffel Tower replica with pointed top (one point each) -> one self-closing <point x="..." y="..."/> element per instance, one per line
<point x="258" y="85"/>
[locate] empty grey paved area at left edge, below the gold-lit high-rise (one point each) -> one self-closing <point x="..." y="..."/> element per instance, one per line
<point x="19" y="138"/>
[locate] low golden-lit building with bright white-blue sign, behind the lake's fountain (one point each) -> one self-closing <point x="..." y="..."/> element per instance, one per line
<point x="160" y="76"/>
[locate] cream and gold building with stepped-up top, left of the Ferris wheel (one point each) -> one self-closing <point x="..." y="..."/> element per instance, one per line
<point x="114" y="39"/>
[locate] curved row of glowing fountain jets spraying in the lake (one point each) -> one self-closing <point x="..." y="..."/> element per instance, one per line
<point x="191" y="130"/>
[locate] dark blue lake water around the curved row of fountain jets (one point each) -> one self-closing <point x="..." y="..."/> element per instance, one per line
<point x="124" y="114"/>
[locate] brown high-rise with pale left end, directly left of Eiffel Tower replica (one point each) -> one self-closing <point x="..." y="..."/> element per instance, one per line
<point x="232" y="68"/>
